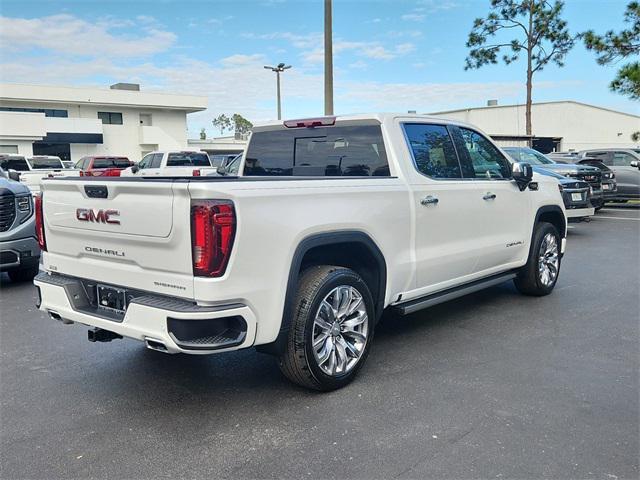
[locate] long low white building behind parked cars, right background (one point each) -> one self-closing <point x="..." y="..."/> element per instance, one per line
<point x="557" y="126"/>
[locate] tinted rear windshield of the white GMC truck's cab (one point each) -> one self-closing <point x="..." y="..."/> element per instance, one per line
<point x="319" y="152"/>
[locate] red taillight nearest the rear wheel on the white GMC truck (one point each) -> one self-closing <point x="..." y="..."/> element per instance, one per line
<point x="213" y="228"/>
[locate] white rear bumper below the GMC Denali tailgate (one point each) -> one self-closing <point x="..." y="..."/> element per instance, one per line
<point x="147" y="318"/>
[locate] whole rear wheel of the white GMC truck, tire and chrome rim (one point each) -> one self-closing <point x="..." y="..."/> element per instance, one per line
<point x="332" y="329"/>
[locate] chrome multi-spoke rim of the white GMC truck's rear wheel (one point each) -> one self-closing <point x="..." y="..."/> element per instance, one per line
<point x="340" y="330"/>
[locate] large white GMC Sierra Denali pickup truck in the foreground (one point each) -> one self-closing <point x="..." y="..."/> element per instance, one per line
<point x="332" y="221"/>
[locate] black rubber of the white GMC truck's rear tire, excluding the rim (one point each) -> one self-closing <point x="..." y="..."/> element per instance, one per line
<point x="298" y="362"/>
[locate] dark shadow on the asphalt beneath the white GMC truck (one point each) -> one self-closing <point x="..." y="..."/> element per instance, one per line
<point x="217" y="379"/>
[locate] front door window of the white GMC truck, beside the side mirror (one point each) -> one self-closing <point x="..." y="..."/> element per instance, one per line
<point x="486" y="159"/>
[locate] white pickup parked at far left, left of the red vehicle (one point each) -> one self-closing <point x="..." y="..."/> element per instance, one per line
<point x="30" y="171"/>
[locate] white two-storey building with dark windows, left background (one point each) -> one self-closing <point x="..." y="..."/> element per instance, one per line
<point x="72" y="122"/>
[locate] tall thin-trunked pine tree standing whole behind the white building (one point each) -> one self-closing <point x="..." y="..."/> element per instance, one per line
<point x="541" y="34"/>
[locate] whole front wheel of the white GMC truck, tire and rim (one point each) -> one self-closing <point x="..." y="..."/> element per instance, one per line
<point x="540" y="274"/>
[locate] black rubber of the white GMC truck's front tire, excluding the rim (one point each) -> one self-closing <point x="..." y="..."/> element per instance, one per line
<point x="529" y="280"/>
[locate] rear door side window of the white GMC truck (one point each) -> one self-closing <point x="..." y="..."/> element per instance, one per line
<point x="433" y="150"/>
